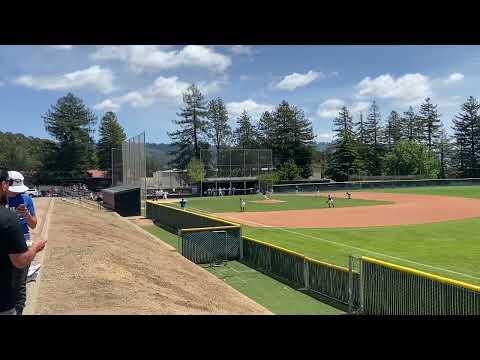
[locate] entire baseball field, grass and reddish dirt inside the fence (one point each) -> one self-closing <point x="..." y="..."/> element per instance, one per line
<point x="431" y="229"/>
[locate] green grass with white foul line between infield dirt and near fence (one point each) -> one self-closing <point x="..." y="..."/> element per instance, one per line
<point x="446" y="246"/>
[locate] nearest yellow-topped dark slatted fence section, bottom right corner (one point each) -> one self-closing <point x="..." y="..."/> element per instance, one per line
<point x="394" y="290"/>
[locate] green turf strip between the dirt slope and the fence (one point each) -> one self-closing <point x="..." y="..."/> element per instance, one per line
<point x="272" y="294"/>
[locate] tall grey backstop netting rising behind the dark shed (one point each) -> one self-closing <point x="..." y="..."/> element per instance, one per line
<point x="129" y="165"/>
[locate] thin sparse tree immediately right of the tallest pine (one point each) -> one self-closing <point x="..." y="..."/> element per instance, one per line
<point x="219" y="130"/>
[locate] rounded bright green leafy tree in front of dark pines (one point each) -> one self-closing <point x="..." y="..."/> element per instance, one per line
<point x="411" y="158"/>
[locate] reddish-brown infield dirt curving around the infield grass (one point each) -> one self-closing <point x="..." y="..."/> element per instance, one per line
<point x="407" y="209"/>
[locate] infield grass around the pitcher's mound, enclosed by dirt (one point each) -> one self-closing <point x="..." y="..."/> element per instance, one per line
<point x="291" y="202"/>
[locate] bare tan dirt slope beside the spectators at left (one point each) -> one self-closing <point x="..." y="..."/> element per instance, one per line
<point x="98" y="264"/>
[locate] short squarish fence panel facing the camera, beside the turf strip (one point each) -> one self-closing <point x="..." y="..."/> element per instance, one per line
<point x="210" y="245"/>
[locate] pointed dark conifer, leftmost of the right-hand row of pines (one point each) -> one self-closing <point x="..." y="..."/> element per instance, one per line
<point x="345" y="156"/>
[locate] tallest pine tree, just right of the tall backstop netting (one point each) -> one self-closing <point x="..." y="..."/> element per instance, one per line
<point x="188" y="140"/>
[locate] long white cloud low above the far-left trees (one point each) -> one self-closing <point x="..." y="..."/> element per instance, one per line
<point x="94" y="77"/>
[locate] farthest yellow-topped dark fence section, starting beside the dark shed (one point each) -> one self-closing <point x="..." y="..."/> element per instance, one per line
<point x="174" y="219"/>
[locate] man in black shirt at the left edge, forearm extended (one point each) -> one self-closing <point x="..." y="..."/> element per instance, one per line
<point x="14" y="252"/>
